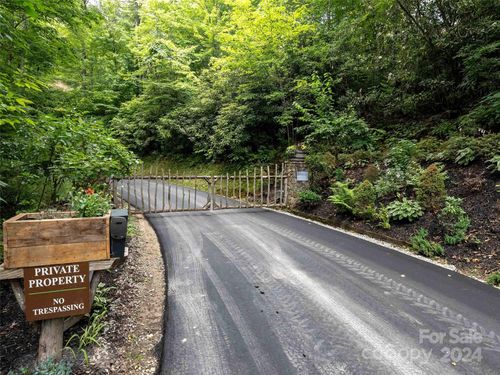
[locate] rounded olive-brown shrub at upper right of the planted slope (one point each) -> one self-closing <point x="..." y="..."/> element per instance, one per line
<point x="430" y="188"/>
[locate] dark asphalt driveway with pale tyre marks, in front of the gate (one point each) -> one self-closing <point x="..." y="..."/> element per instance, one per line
<point x="253" y="291"/>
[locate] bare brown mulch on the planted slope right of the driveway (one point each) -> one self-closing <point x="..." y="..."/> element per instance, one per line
<point x="480" y="200"/>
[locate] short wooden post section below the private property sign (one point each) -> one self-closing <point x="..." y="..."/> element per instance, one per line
<point x="51" y="339"/>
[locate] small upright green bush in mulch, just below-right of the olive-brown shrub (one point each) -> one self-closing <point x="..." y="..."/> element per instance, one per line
<point x="454" y="220"/>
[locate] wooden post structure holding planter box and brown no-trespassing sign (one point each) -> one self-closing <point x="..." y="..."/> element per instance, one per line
<point x="53" y="255"/>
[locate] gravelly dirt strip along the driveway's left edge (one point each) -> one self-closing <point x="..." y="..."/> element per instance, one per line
<point x="132" y="342"/>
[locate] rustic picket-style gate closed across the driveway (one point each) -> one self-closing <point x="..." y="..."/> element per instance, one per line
<point x="165" y="192"/>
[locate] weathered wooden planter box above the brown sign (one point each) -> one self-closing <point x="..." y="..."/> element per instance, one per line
<point x="29" y="240"/>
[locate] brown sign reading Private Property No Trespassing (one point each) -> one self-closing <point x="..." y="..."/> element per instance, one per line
<point x="56" y="291"/>
